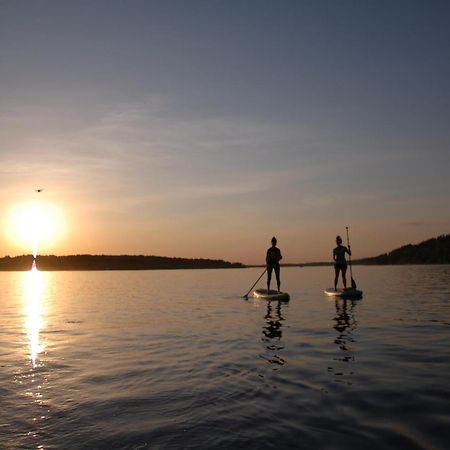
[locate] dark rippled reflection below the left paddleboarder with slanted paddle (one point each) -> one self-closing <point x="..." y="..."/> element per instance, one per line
<point x="272" y="334"/>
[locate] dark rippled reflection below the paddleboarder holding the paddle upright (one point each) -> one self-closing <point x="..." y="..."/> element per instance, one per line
<point x="345" y="324"/>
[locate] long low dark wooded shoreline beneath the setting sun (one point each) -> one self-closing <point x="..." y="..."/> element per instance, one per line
<point x="111" y="262"/>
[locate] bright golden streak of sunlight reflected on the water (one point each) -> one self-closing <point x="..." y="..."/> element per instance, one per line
<point x="33" y="312"/>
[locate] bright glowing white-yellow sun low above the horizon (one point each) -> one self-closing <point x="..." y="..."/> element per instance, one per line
<point x="35" y="225"/>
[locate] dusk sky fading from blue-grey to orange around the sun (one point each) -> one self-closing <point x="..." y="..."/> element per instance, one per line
<point x="202" y="128"/>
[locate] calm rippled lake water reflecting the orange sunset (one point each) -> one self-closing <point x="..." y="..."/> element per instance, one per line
<point x="178" y="360"/>
